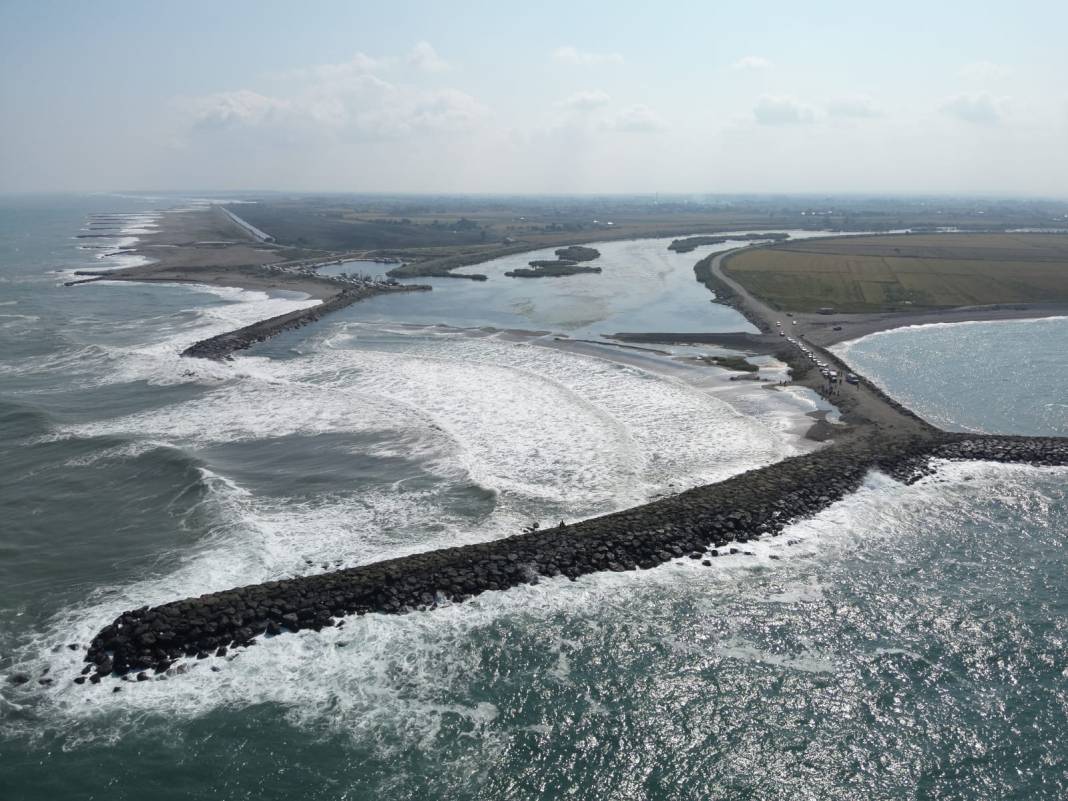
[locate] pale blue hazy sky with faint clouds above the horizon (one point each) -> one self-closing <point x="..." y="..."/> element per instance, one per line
<point x="536" y="98"/>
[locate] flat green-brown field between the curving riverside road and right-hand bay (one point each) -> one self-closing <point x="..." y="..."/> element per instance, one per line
<point x="899" y="273"/>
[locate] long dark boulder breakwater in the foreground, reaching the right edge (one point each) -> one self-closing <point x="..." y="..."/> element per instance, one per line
<point x="703" y="524"/>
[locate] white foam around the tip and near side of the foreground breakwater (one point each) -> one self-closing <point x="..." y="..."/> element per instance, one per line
<point x="391" y="682"/>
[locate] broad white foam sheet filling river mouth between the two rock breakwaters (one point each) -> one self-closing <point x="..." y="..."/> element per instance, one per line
<point x="528" y="422"/>
